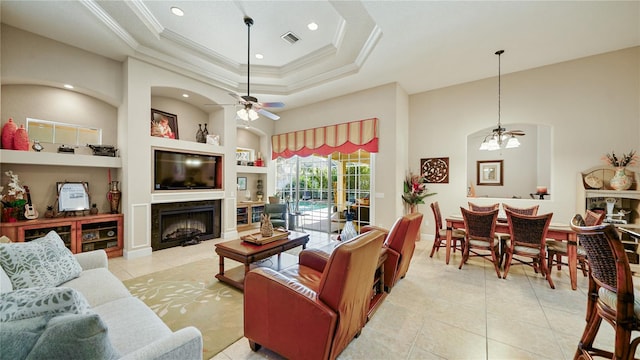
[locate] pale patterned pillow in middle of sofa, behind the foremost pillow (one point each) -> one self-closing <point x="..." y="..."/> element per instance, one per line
<point x="27" y="303"/>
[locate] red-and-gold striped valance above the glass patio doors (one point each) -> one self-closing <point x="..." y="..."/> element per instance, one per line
<point x="345" y="138"/>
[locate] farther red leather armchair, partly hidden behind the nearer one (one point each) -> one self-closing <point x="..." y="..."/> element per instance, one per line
<point x="399" y="246"/>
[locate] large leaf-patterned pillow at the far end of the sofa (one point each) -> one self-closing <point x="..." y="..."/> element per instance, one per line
<point x="42" y="262"/>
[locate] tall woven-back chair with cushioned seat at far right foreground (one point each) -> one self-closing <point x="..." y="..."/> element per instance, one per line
<point x="610" y="295"/>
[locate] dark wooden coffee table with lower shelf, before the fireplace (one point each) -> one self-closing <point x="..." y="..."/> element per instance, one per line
<point x="248" y="254"/>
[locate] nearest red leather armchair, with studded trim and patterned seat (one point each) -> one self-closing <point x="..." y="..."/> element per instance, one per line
<point x="314" y="309"/>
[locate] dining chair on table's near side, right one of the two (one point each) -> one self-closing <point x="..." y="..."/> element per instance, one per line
<point x="528" y="235"/>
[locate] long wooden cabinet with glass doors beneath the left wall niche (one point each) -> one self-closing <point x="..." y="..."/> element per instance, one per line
<point x="80" y="233"/>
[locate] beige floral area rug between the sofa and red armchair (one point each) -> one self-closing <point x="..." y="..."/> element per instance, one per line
<point x="190" y="295"/>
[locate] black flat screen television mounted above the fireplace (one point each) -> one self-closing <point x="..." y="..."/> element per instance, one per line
<point x="175" y="170"/>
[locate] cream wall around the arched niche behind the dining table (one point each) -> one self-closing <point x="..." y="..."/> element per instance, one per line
<point x="591" y="103"/>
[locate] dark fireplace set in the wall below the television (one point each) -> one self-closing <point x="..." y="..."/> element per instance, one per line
<point x="184" y="223"/>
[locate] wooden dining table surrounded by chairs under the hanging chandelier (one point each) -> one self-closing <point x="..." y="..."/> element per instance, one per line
<point x="556" y="231"/>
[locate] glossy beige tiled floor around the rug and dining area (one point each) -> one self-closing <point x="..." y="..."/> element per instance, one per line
<point x="440" y="312"/>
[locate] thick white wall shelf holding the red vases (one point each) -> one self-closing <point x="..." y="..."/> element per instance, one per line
<point x="58" y="159"/>
